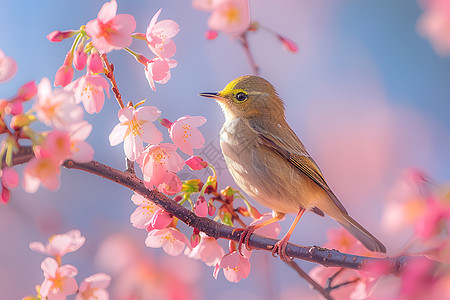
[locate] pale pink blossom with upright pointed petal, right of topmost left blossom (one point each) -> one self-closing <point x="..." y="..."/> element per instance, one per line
<point x="159" y="36"/>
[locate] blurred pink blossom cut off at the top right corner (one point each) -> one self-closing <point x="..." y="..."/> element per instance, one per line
<point x="434" y="24"/>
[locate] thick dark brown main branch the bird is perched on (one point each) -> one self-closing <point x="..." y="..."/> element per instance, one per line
<point x="325" y="257"/>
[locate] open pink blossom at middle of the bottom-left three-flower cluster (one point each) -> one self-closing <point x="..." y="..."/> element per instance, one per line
<point x="59" y="281"/>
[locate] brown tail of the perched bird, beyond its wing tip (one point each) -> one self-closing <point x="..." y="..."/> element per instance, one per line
<point x="359" y="232"/>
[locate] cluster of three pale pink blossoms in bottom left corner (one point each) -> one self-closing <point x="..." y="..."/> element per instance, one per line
<point x="59" y="280"/>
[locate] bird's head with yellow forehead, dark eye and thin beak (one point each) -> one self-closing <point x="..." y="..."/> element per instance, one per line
<point x="249" y="97"/>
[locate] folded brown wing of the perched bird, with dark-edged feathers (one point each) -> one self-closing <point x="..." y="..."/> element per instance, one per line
<point x="300" y="160"/>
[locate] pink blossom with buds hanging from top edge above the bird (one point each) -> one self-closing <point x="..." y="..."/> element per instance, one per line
<point x="232" y="17"/>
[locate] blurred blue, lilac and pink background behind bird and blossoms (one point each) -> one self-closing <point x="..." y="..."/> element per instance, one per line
<point x="368" y="96"/>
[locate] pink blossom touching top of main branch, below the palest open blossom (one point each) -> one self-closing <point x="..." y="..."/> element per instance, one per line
<point x="157" y="160"/>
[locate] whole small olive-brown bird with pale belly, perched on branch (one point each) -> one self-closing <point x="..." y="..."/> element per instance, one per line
<point x="269" y="162"/>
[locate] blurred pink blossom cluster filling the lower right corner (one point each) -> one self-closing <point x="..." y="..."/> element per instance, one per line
<point x="417" y="208"/>
